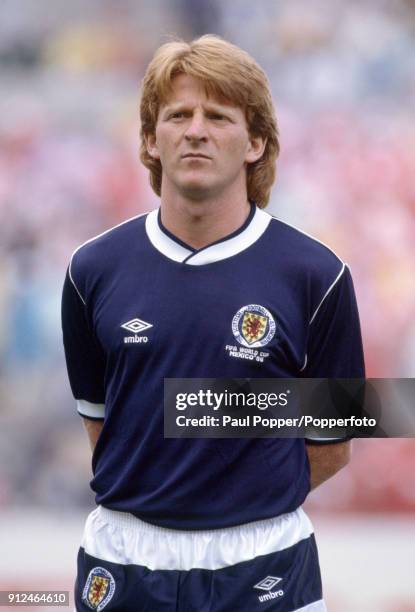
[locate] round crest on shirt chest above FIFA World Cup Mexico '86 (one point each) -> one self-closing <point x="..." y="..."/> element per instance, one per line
<point x="253" y="326"/>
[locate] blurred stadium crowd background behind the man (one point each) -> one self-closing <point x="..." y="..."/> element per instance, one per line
<point x="342" y="75"/>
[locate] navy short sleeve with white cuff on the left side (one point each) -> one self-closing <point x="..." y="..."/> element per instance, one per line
<point x="85" y="359"/>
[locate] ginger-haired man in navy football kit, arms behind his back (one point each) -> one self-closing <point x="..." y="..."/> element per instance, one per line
<point x="207" y="525"/>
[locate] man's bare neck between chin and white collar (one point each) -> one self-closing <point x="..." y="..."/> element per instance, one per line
<point x="202" y="222"/>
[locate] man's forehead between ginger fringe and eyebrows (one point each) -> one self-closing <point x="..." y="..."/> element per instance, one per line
<point x="187" y="89"/>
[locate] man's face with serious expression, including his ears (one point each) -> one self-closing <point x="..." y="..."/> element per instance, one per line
<point x="203" y="144"/>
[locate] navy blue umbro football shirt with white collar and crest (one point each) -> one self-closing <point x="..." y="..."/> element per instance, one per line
<point x="139" y="305"/>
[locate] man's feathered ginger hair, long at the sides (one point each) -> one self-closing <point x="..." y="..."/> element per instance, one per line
<point x="228" y="74"/>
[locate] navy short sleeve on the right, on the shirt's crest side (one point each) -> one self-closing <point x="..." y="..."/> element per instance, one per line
<point x="335" y="348"/>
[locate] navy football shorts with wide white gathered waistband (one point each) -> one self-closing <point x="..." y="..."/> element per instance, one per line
<point x="128" y="565"/>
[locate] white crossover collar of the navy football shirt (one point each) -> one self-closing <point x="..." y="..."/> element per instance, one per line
<point x="223" y="249"/>
